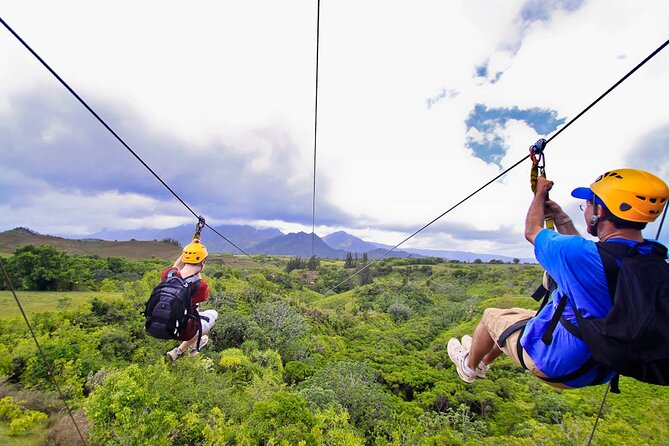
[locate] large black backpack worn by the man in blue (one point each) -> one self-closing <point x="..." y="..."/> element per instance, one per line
<point x="633" y="338"/>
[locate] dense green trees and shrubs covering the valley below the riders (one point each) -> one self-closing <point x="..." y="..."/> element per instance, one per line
<point x="293" y="362"/>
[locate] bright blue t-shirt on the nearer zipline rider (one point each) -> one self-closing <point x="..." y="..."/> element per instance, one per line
<point x="575" y="264"/>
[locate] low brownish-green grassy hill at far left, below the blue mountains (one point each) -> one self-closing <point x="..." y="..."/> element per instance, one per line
<point x="15" y="238"/>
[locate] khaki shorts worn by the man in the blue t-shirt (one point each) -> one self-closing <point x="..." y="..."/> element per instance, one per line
<point x="497" y="320"/>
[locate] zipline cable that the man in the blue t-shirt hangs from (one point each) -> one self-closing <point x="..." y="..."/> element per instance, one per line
<point x="614" y="86"/>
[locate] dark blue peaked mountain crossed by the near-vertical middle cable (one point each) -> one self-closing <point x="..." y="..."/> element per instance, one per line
<point x="297" y="244"/>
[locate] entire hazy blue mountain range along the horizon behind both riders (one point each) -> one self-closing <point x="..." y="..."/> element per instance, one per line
<point x="272" y="241"/>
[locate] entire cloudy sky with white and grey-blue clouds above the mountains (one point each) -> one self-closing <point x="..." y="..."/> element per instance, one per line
<point x="420" y="103"/>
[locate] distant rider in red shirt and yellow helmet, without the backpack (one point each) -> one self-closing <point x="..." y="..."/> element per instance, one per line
<point x="189" y="266"/>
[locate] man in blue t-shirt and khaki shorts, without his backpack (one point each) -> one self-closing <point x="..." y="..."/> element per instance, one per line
<point x="617" y="206"/>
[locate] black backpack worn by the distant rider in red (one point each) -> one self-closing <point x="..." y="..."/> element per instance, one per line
<point x="170" y="307"/>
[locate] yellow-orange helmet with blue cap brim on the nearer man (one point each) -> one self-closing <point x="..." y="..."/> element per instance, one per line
<point x="630" y="194"/>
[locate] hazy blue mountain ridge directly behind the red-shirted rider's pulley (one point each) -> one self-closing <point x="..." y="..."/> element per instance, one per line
<point x="243" y="236"/>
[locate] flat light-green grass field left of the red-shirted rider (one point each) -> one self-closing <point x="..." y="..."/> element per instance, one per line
<point x="38" y="301"/>
